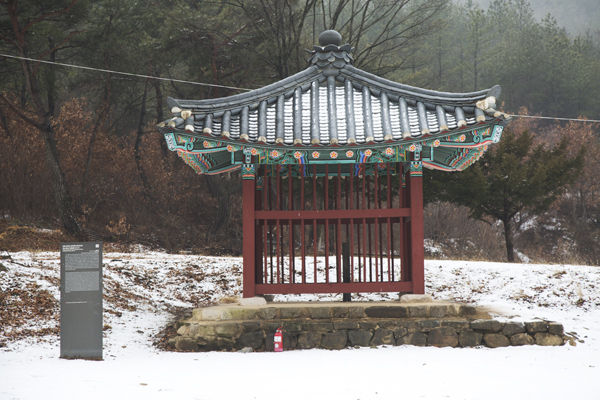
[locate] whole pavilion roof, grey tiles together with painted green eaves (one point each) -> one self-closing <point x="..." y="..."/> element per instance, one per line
<point x="334" y="113"/>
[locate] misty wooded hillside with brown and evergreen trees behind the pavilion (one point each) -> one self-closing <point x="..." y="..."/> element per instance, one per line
<point x="81" y="158"/>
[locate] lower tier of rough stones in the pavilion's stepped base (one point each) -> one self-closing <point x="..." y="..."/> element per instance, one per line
<point x="338" y="333"/>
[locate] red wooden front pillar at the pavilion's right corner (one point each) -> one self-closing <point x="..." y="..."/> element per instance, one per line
<point x="417" y="250"/>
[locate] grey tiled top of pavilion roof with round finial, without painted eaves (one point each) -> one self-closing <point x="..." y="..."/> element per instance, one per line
<point x="332" y="103"/>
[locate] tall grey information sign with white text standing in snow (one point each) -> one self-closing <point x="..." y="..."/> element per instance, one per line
<point x="81" y="300"/>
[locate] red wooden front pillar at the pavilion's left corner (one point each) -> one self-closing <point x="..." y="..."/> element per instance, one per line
<point x="248" y="203"/>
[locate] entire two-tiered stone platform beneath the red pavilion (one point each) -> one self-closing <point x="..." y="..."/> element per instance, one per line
<point x="341" y="325"/>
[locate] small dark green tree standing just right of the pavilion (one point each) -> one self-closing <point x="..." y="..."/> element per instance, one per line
<point x="515" y="177"/>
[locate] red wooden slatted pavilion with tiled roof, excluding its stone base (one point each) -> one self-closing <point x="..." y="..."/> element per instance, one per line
<point x="331" y="160"/>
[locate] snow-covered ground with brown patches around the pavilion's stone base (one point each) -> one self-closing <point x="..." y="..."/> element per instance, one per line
<point x="143" y="289"/>
